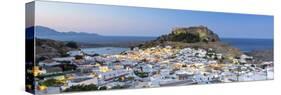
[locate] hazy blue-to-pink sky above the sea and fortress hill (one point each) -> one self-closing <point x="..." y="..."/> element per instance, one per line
<point x="134" y="21"/>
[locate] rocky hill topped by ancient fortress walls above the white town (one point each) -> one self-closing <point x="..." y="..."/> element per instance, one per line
<point x="196" y="37"/>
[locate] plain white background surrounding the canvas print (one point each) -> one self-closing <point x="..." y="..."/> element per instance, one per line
<point x="12" y="46"/>
